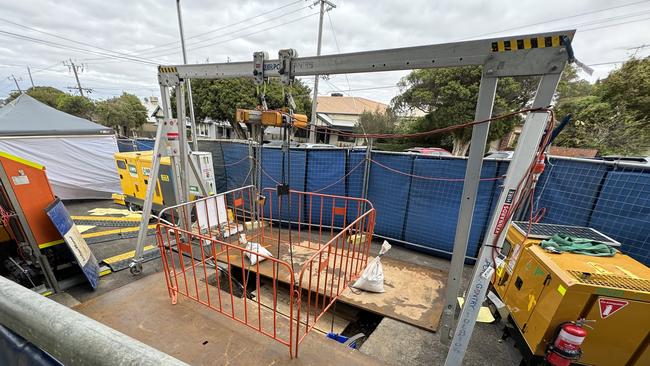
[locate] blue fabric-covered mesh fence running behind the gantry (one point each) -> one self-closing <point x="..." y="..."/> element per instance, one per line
<point x="423" y="212"/>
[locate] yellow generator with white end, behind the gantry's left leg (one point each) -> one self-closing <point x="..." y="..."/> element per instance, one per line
<point x="134" y="169"/>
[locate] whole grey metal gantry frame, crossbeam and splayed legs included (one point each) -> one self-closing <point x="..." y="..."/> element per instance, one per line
<point x="543" y="54"/>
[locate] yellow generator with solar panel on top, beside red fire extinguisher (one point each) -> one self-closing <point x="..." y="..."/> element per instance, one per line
<point x="543" y="291"/>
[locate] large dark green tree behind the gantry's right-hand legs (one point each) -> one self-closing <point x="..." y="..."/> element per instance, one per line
<point x="449" y="96"/>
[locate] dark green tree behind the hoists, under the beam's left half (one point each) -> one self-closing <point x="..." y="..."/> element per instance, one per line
<point x="218" y="99"/>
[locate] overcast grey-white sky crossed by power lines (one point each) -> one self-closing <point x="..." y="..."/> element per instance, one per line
<point x="146" y="32"/>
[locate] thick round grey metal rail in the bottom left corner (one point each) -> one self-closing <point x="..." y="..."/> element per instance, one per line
<point x="68" y="336"/>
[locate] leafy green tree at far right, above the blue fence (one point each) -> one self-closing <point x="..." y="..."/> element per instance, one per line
<point x="613" y="115"/>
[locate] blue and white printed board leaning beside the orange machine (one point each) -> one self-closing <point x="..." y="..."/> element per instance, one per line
<point x="72" y="237"/>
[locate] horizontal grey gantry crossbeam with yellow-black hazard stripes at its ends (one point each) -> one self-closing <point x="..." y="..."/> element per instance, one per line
<point x="533" y="54"/>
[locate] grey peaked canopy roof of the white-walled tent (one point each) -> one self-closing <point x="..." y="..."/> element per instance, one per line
<point x="26" y="116"/>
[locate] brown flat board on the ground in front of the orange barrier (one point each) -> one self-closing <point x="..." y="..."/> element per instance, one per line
<point x="199" y="336"/>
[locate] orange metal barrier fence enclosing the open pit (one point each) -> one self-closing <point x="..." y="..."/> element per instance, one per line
<point x="301" y="251"/>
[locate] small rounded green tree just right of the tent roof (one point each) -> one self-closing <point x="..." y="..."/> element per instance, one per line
<point x="124" y="113"/>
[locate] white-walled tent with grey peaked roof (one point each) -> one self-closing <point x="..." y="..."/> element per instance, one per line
<point x="77" y="153"/>
